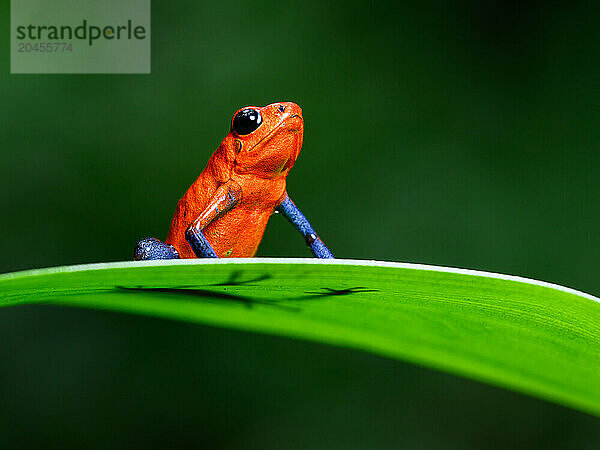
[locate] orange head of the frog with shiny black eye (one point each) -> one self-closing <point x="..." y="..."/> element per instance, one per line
<point x="266" y="141"/>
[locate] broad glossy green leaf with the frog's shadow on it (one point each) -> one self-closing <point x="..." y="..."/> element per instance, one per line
<point x="521" y="334"/>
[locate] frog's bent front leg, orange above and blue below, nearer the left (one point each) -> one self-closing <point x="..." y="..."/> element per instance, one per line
<point x="226" y="197"/>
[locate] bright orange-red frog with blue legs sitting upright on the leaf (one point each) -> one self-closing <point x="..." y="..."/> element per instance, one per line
<point x="225" y="211"/>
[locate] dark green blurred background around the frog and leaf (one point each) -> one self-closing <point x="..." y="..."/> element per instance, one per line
<point x="450" y="133"/>
